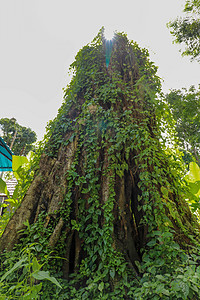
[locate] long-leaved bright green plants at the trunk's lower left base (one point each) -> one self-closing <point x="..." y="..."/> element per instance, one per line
<point x="22" y="278"/>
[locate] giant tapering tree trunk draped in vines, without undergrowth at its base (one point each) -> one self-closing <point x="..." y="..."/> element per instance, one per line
<point x="105" y="184"/>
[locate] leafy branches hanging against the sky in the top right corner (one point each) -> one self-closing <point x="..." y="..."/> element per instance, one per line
<point x="187" y="30"/>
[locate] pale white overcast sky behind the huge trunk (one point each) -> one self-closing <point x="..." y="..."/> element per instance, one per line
<point x="40" y="38"/>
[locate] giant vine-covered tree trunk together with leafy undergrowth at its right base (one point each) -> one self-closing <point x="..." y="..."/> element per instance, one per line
<point x="106" y="202"/>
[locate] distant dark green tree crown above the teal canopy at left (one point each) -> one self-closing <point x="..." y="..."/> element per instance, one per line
<point x="18" y="137"/>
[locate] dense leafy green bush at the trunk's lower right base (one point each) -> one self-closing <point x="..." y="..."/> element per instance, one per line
<point x="168" y="272"/>
